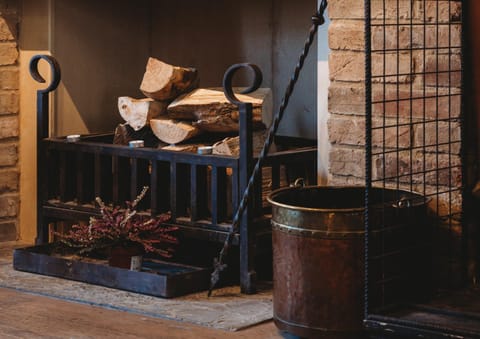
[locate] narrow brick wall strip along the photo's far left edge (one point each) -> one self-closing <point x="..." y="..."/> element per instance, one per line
<point x="9" y="121"/>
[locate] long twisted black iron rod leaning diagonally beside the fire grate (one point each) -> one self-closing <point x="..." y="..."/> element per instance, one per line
<point x="218" y="265"/>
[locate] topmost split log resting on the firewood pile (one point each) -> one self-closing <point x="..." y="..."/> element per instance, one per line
<point x="164" y="82"/>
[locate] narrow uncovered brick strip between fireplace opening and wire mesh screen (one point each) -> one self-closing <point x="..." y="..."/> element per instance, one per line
<point x="346" y="101"/>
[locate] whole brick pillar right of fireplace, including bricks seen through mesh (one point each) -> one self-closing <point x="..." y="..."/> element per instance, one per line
<point x="406" y="100"/>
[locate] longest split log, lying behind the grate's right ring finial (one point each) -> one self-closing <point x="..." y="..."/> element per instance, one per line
<point x="213" y="112"/>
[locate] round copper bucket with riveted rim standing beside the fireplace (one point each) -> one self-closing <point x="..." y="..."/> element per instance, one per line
<point x="318" y="256"/>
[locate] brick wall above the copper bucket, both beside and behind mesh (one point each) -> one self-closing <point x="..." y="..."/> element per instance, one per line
<point x="347" y="92"/>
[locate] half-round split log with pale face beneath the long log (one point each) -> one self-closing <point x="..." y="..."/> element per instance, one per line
<point x="171" y="131"/>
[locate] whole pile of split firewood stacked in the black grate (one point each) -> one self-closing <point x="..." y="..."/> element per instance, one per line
<point x="176" y="110"/>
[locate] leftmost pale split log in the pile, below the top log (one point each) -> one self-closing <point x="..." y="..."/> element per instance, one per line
<point x="138" y="112"/>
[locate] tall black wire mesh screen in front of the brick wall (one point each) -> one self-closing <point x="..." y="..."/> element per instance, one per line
<point x="414" y="144"/>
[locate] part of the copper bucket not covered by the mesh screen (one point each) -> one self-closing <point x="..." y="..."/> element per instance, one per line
<point x="317" y="266"/>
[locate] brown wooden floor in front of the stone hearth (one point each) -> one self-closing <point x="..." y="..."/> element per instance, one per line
<point x="24" y="315"/>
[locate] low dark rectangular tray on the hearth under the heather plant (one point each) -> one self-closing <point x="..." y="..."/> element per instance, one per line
<point x="157" y="278"/>
